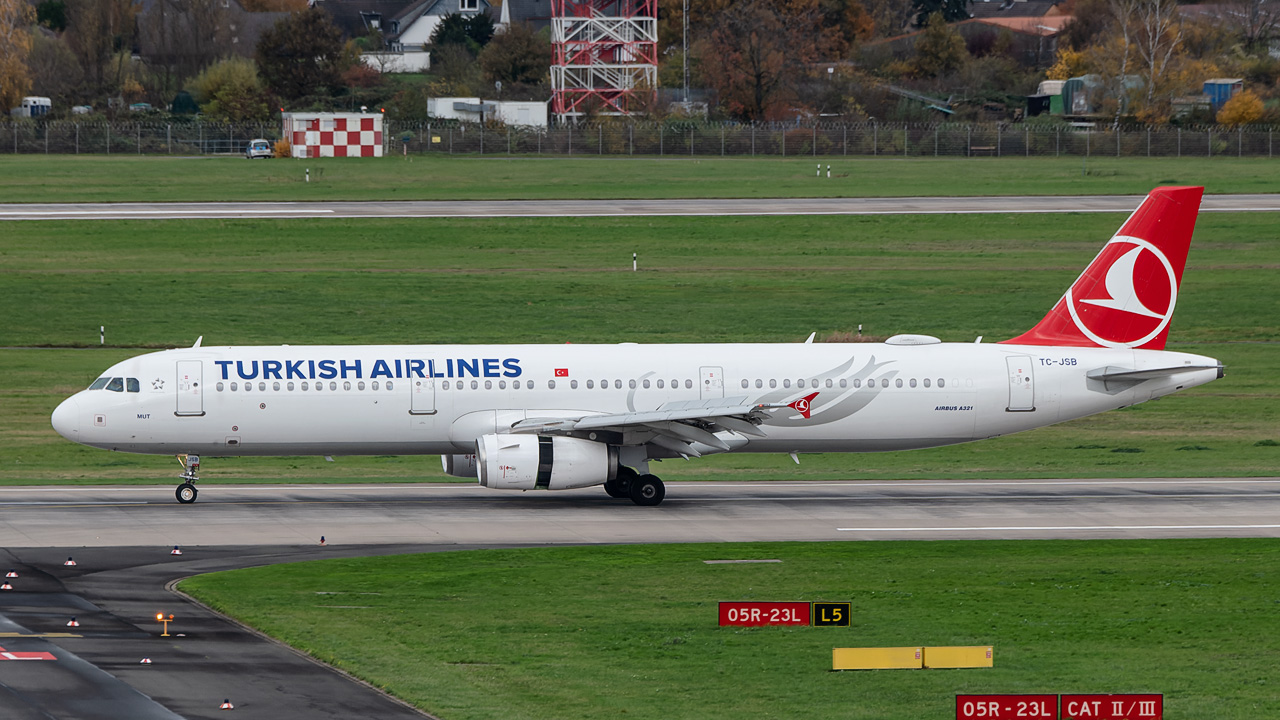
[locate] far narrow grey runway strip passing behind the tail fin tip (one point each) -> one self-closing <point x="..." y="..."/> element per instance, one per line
<point x="620" y="208"/>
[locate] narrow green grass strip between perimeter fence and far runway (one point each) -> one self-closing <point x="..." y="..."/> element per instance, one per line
<point x="83" y="179"/>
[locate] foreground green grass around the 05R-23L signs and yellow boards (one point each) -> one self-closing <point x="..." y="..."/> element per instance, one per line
<point x="632" y="632"/>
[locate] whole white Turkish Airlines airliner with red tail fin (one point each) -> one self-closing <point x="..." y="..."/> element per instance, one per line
<point x="556" y="417"/>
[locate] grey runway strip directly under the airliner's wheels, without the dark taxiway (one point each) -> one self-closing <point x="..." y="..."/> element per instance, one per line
<point x="469" y="514"/>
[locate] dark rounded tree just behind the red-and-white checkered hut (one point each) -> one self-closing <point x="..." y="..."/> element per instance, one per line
<point x="303" y="54"/>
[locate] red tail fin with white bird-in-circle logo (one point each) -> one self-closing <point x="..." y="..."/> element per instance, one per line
<point x="1127" y="297"/>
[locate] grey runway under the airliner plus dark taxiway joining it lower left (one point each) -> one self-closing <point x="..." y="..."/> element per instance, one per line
<point x="122" y="539"/>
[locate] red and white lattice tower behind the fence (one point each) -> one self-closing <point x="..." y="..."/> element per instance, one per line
<point x="605" y="57"/>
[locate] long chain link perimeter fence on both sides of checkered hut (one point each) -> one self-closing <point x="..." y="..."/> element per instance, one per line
<point x="908" y="140"/>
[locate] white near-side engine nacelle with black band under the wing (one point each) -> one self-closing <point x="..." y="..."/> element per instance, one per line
<point x="515" y="462"/>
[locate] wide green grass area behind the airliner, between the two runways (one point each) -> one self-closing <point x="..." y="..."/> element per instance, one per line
<point x="163" y="284"/>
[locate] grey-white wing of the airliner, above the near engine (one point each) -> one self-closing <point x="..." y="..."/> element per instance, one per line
<point x="688" y="427"/>
